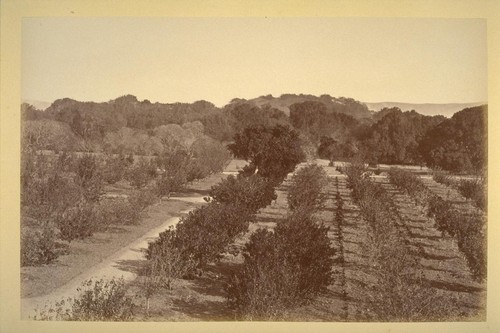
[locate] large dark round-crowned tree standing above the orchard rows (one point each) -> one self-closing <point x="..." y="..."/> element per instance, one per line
<point x="273" y="152"/>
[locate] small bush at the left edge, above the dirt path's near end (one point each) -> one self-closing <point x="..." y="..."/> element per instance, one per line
<point x="38" y="246"/>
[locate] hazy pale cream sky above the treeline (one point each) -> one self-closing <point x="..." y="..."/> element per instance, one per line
<point x="217" y="59"/>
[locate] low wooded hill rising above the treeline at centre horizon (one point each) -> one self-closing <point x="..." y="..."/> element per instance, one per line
<point x="344" y="105"/>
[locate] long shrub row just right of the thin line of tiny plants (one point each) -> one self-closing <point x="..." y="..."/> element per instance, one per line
<point x="398" y="294"/>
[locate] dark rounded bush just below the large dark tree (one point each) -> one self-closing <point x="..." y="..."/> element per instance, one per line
<point x="253" y="192"/>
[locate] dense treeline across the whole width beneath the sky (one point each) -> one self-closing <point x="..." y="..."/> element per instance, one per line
<point x="332" y="128"/>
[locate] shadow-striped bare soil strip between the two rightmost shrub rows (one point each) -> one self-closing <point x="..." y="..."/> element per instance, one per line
<point x="443" y="266"/>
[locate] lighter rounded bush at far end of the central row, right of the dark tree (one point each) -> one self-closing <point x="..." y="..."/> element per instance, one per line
<point x="305" y="192"/>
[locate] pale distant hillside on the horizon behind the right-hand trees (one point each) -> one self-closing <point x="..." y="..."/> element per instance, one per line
<point x="426" y="109"/>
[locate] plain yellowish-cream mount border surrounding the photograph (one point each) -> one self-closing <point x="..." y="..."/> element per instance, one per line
<point x="12" y="12"/>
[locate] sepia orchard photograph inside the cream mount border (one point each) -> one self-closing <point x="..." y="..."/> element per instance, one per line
<point x="270" y="169"/>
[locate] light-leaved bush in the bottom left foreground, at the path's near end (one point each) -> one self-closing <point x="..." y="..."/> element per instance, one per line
<point x="98" y="300"/>
